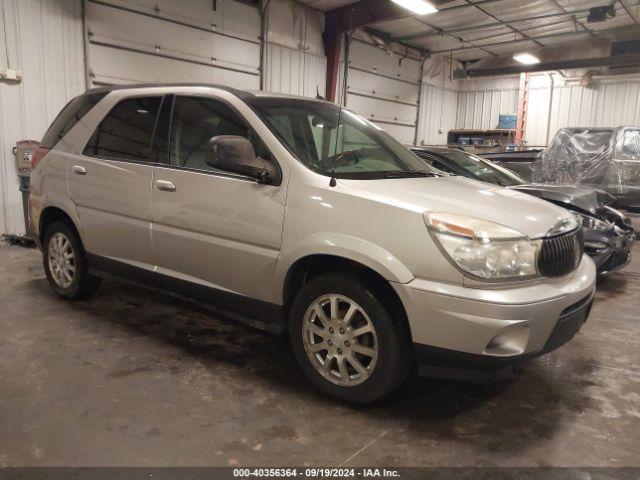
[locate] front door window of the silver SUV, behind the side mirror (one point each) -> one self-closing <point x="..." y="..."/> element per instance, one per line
<point x="196" y="120"/>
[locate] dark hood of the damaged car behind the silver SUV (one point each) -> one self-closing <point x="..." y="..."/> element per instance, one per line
<point x="589" y="200"/>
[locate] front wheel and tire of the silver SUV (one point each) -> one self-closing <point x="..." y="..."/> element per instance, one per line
<point x="345" y="341"/>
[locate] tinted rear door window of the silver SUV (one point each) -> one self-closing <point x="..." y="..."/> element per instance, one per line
<point x="125" y="133"/>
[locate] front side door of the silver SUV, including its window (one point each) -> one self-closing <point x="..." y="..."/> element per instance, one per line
<point x="210" y="227"/>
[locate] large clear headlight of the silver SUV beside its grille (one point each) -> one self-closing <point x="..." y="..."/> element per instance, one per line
<point x="484" y="249"/>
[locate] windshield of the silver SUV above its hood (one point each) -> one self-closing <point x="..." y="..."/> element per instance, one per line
<point x="353" y="149"/>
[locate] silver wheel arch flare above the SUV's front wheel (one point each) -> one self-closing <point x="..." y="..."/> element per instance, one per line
<point x="344" y="246"/>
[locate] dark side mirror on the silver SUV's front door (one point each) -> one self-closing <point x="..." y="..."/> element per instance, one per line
<point x="232" y="153"/>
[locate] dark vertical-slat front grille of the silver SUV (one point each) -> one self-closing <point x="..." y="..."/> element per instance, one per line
<point x="561" y="254"/>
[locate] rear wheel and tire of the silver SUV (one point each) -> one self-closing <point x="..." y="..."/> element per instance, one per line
<point x="65" y="263"/>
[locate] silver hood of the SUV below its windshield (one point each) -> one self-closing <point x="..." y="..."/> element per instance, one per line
<point x="452" y="194"/>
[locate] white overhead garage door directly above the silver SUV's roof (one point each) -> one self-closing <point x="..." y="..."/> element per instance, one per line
<point x="213" y="41"/>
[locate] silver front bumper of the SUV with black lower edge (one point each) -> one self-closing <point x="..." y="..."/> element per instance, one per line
<point x="456" y="329"/>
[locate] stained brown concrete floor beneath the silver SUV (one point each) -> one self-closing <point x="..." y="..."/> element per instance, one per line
<point x="132" y="377"/>
